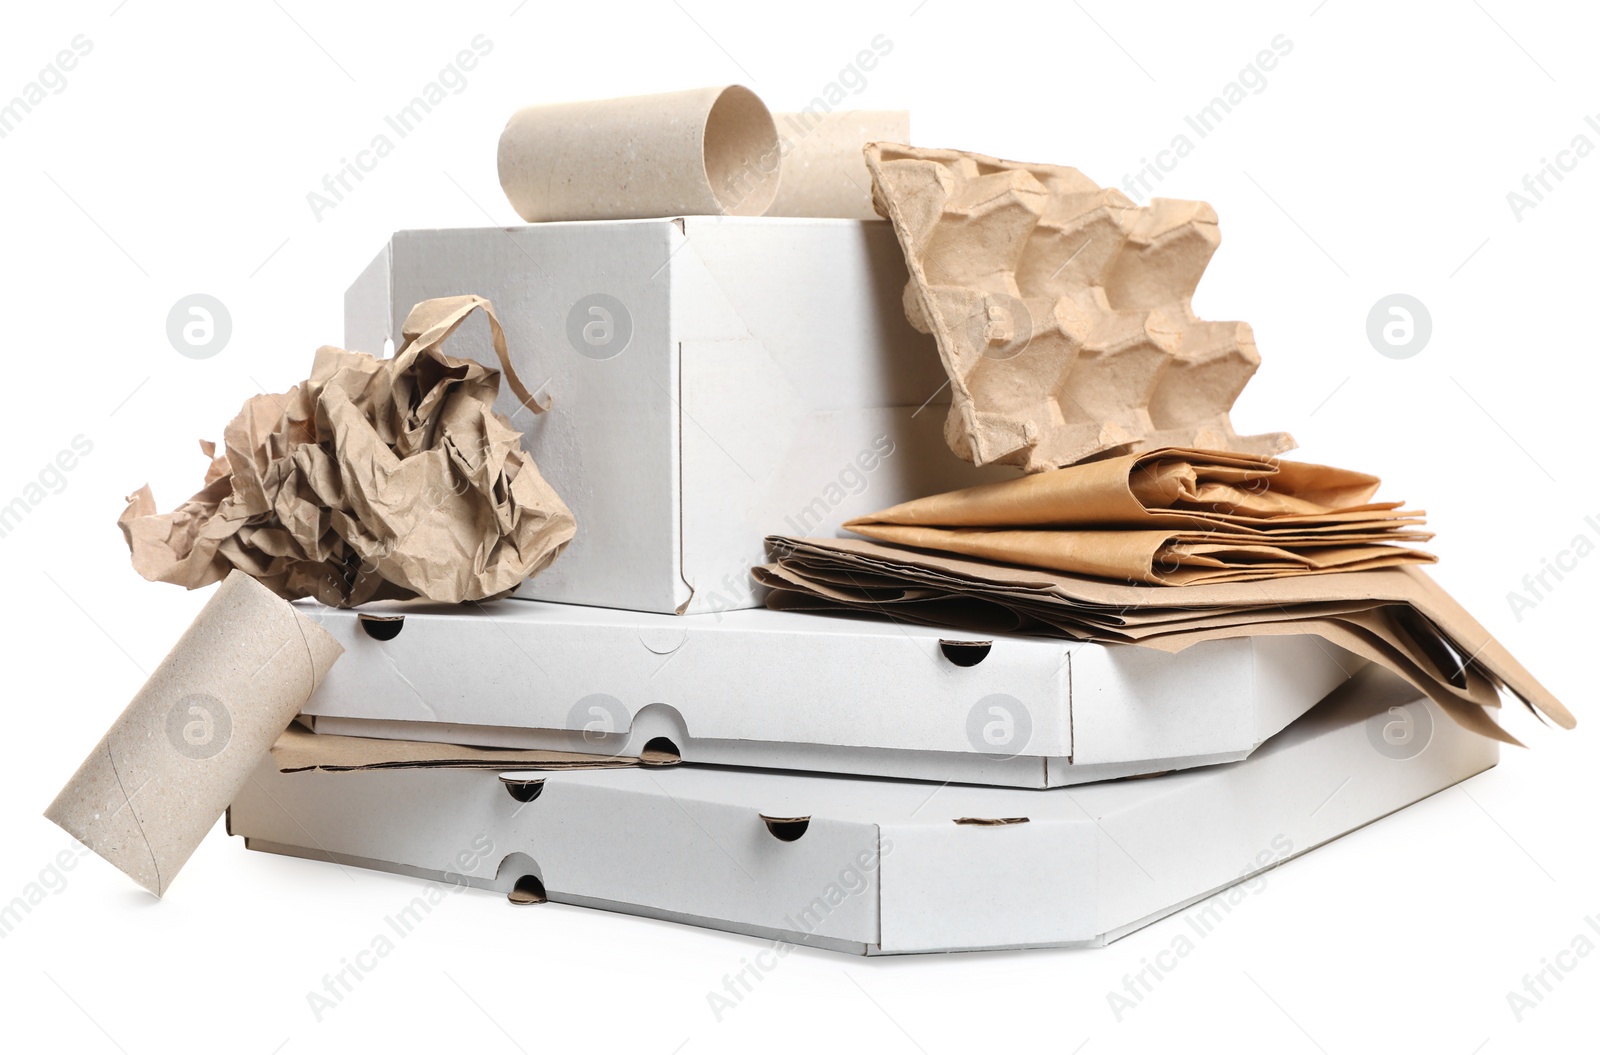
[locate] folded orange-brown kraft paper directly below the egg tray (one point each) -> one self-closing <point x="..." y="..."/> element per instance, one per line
<point x="1169" y="518"/>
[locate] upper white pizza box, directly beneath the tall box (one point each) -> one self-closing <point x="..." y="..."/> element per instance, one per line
<point x="814" y="692"/>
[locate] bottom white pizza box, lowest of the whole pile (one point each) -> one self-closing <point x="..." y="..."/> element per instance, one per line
<point x="884" y="867"/>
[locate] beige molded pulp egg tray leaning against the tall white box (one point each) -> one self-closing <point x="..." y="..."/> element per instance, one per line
<point x="1063" y="311"/>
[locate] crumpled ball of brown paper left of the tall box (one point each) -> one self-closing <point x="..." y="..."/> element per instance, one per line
<point x="378" y="479"/>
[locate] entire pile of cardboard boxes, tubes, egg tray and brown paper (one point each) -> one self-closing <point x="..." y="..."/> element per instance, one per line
<point x="793" y="532"/>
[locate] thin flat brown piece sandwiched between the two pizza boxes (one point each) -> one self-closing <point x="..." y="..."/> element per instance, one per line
<point x="298" y="750"/>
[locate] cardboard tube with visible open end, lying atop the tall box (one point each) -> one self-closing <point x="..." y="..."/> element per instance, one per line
<point x="703" y="153"/>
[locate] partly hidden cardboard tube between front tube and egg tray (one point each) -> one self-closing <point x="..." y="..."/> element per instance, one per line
<point x="825" y="172"/>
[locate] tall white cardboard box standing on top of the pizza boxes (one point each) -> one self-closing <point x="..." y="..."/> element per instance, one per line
<point x="713" y="380"/>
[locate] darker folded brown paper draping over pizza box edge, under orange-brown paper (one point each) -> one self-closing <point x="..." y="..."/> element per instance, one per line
<point x="1396" y="616"/>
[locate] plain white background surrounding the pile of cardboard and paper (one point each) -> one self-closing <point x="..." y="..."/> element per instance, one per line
<point x="1378" y="159"/>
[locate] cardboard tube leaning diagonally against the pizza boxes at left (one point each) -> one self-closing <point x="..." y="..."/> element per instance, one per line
<point x="180" y="753"/>
